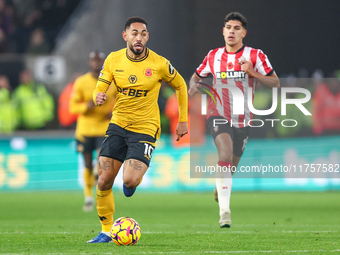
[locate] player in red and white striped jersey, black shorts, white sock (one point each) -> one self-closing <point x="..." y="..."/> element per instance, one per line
<point x="247" y="63"/>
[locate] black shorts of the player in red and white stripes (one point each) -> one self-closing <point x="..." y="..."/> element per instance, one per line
<point x="239" y="136"/>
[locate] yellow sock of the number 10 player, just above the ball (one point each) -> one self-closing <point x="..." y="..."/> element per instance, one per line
<point x="105" y="208"/>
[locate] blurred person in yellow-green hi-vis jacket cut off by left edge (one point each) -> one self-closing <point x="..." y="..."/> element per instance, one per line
<point x="8" y="111"/>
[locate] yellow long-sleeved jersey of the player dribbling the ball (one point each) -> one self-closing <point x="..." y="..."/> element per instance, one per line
<point x="138" y="82"/>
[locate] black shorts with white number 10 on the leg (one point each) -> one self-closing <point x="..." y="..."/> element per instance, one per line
<point x="121" y="144"/>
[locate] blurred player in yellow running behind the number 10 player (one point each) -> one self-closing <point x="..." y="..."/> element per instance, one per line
<point x="92" y="121"/>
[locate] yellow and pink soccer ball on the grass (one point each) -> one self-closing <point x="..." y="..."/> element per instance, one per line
<point x="125" y="231"/>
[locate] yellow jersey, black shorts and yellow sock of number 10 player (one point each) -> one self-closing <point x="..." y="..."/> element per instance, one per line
<point x="135" y="123"/>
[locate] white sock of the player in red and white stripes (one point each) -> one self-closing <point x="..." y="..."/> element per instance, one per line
<point x="223" y="186"/>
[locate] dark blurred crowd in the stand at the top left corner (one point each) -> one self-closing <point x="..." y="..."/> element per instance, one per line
<point x="31" y="26"/>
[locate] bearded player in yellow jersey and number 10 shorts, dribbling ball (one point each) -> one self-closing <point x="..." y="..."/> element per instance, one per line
<point x="137" y="73"/>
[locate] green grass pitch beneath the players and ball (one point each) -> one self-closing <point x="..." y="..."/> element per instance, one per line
<point x="179" y="223"/>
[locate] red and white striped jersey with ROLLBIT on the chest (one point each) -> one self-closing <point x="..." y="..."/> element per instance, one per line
<point x="226" y="71"/>
